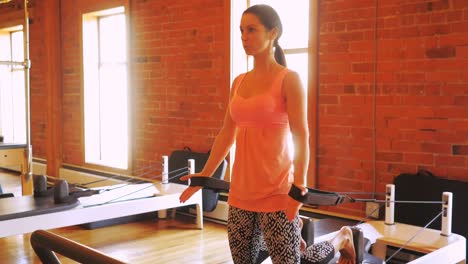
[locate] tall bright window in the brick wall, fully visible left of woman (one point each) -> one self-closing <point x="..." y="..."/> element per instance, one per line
<point x="105" y="69"/>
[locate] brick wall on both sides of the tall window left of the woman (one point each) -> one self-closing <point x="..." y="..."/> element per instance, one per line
<point x="177" y="87"/>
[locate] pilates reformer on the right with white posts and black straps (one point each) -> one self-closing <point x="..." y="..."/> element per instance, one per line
<point x="437" y="246"/>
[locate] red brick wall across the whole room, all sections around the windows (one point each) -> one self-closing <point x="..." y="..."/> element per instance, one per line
<point x="414" y="52"/>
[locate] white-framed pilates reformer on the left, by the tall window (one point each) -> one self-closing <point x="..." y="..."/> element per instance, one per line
<point x="66" y="204"/>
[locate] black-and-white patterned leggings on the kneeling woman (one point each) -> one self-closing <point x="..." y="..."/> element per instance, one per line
<point x="250" y="232"/>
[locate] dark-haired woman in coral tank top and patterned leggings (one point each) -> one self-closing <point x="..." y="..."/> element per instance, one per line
<point x="266" y="104"/>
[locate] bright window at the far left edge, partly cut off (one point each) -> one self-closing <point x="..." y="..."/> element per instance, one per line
<point x="12" y="87"/>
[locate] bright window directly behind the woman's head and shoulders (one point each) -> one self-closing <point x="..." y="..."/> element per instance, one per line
<point x="294" y="40"/>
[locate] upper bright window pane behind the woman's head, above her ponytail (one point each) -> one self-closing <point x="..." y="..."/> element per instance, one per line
<point x="295" y="19"/>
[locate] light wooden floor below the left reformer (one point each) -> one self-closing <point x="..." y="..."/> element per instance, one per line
<point x="149" y="241"/>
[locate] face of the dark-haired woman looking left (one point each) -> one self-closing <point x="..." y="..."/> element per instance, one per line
<point x="255" y="37"/>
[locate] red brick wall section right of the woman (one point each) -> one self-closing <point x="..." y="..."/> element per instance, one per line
<point x="420" y="105"/>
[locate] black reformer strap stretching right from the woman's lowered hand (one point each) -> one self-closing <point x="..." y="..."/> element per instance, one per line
<point x="318" y="197"/>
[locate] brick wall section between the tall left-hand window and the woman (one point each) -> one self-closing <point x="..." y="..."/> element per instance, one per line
<point x="181" y="84"/>
